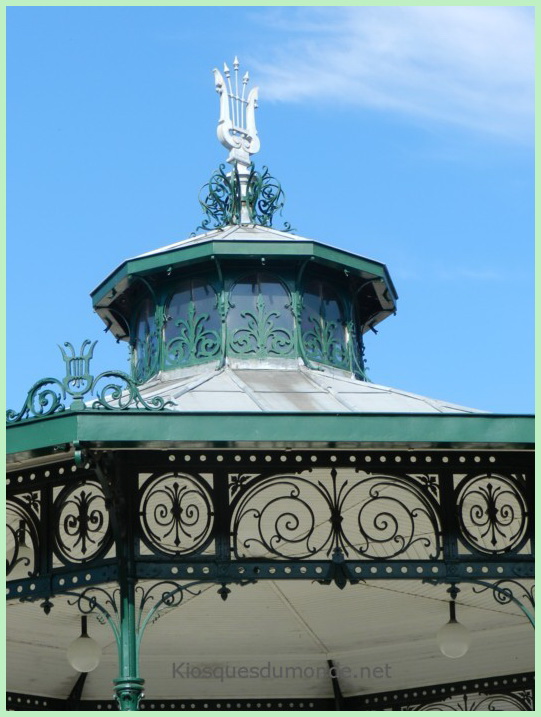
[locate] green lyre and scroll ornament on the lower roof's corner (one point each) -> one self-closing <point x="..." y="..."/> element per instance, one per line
<point x="47" y="396"/>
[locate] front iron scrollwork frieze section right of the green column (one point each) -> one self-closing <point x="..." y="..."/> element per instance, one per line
<point x="433" y="508"/>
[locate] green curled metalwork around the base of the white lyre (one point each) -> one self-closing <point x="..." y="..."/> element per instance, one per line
<point x="221" y="199"/>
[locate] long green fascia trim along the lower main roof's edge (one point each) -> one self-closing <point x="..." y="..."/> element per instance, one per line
<point x="133" y="429"/>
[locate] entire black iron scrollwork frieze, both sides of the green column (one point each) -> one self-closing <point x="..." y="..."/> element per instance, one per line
<point x="235" y="515"/>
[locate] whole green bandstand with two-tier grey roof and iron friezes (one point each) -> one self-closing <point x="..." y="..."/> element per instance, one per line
<point x="246" y="521"/>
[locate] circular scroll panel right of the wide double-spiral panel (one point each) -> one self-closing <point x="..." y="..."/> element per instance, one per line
<point x="493" y="513"/>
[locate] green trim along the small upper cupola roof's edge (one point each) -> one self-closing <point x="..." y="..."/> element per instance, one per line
<point x="191" y="254"/>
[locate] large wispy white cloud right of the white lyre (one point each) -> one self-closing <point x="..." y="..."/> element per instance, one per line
<point x="471" y="66"/>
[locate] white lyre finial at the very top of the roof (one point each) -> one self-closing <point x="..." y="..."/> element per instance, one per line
<point x="236" y="127"/>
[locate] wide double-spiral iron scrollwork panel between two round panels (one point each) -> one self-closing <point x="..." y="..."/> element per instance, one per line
<point x="376" y="516"/>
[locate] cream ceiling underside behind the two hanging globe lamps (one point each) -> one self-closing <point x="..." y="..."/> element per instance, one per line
<point x="380" y="635"/>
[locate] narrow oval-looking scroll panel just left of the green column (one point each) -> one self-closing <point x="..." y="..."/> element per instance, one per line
<point x="82" y="531"/>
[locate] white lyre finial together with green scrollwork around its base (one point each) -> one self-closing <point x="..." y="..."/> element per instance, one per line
<point x="243" y="195"/>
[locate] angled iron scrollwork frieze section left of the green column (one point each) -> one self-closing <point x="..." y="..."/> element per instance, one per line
<point x="58" y="530"/>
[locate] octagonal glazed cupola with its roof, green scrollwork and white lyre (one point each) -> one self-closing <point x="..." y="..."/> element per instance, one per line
<point x="242" y="292"/>
